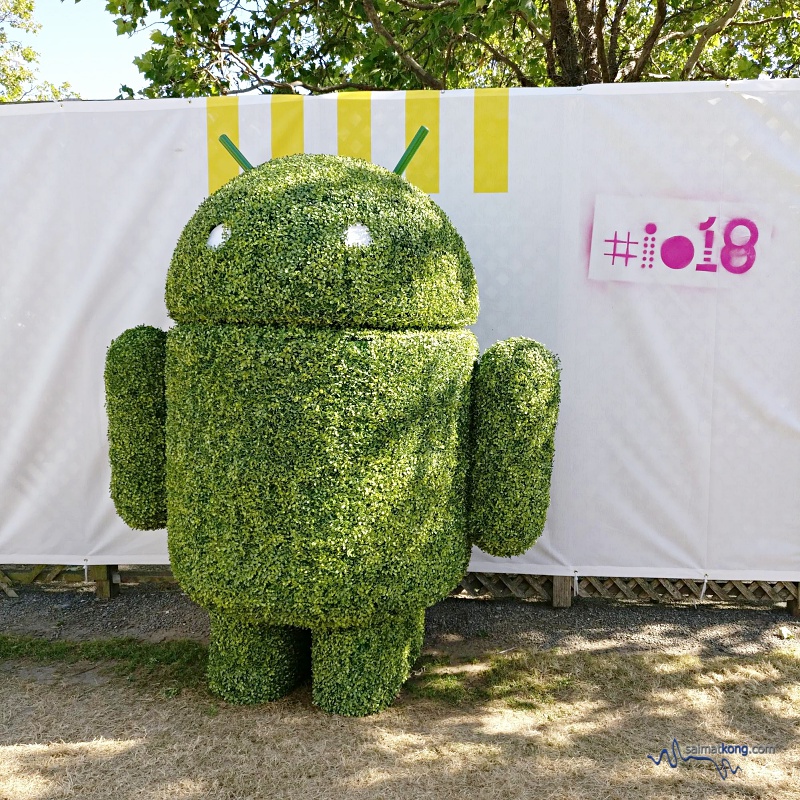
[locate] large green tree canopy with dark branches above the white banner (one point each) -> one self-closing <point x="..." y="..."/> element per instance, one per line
<point x="233" y="46"/>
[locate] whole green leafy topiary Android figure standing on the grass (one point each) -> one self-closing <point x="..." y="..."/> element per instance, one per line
<point x="317" y="432"/>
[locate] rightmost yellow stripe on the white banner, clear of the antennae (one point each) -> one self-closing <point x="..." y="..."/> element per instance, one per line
<point x="491" y="140"/>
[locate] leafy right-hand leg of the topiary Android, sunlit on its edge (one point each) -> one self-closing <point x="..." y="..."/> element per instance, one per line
<point x="358" y="671"/>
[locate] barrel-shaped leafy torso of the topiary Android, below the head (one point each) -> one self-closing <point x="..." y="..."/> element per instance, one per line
<point x="311" y="471"/>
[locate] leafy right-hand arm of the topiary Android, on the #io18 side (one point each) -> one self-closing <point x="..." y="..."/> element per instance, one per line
<point x="516" y="393"/>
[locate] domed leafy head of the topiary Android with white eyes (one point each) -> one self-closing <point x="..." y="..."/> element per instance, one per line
<point x="320" y="241"/>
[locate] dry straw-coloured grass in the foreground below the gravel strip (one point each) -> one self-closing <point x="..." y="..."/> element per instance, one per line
<point x="515" y="725"/>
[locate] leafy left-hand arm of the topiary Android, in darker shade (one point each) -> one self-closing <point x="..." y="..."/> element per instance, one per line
<point x="137" y="411"/>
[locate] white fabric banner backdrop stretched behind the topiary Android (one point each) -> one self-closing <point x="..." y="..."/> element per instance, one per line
<point x="678" y="447"/>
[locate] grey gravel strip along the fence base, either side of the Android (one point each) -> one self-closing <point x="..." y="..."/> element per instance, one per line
<point x="463" y="626"/>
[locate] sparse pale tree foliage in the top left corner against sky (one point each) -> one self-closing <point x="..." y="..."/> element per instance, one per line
<point x="18" y="61"/>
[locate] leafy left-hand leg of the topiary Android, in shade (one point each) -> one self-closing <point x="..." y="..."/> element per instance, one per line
<point x="252" y="662"/>
